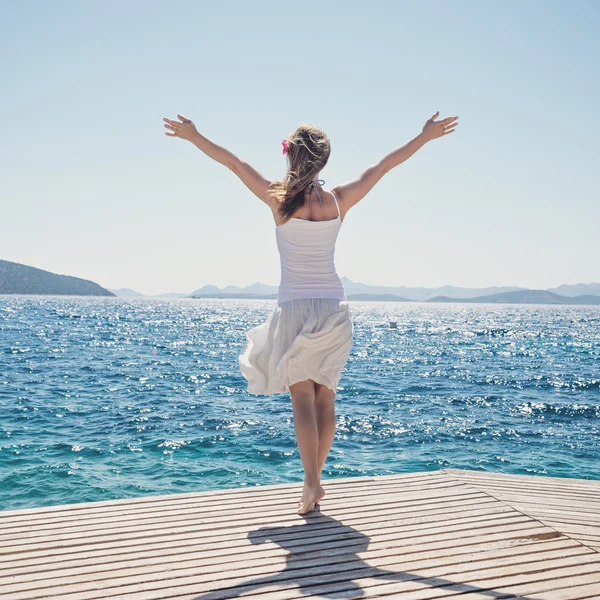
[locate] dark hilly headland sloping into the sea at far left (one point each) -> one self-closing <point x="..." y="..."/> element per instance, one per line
<point x="21" y="279"/>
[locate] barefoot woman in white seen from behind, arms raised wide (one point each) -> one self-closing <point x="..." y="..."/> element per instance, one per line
<point x="305" y="342"/>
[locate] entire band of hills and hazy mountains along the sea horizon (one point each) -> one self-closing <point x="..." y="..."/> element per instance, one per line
<point x="21" y="279"/>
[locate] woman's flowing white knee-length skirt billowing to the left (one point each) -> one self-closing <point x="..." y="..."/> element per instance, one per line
<point x="304" y="338"/>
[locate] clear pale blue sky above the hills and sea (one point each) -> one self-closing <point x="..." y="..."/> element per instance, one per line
<point x="90" y="185"/>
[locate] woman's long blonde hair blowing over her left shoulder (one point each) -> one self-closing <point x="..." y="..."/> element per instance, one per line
<point x="308" y="153"/>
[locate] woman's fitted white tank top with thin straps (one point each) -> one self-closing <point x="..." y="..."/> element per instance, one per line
<point x="306" y="250"/>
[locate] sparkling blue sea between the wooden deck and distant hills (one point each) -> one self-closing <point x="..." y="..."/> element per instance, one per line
<point x="115" y="398"/>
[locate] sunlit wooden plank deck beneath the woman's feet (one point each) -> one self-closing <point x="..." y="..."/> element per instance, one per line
<point x="415" y="536"/>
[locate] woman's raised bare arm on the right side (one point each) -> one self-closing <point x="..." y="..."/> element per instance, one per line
<point x="352" y="192"/>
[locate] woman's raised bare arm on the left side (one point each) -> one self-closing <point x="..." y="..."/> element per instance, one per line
<point x="251" y="178"/>
